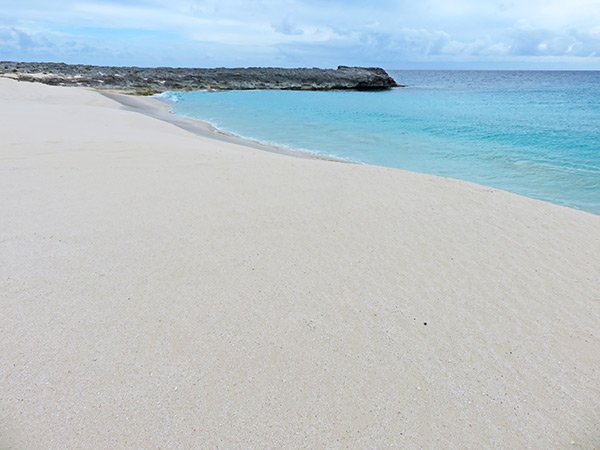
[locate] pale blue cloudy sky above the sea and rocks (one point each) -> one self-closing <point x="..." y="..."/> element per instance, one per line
<point x="395" y="34"/>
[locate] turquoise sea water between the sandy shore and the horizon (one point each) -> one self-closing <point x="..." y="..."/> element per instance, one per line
<point x="532" y="133"/>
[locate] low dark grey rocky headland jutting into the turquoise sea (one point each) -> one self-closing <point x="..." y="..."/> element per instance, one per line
<point x="145" y="81"/>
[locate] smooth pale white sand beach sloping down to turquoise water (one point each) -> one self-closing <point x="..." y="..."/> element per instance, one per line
<point x="161" y="289"/>
